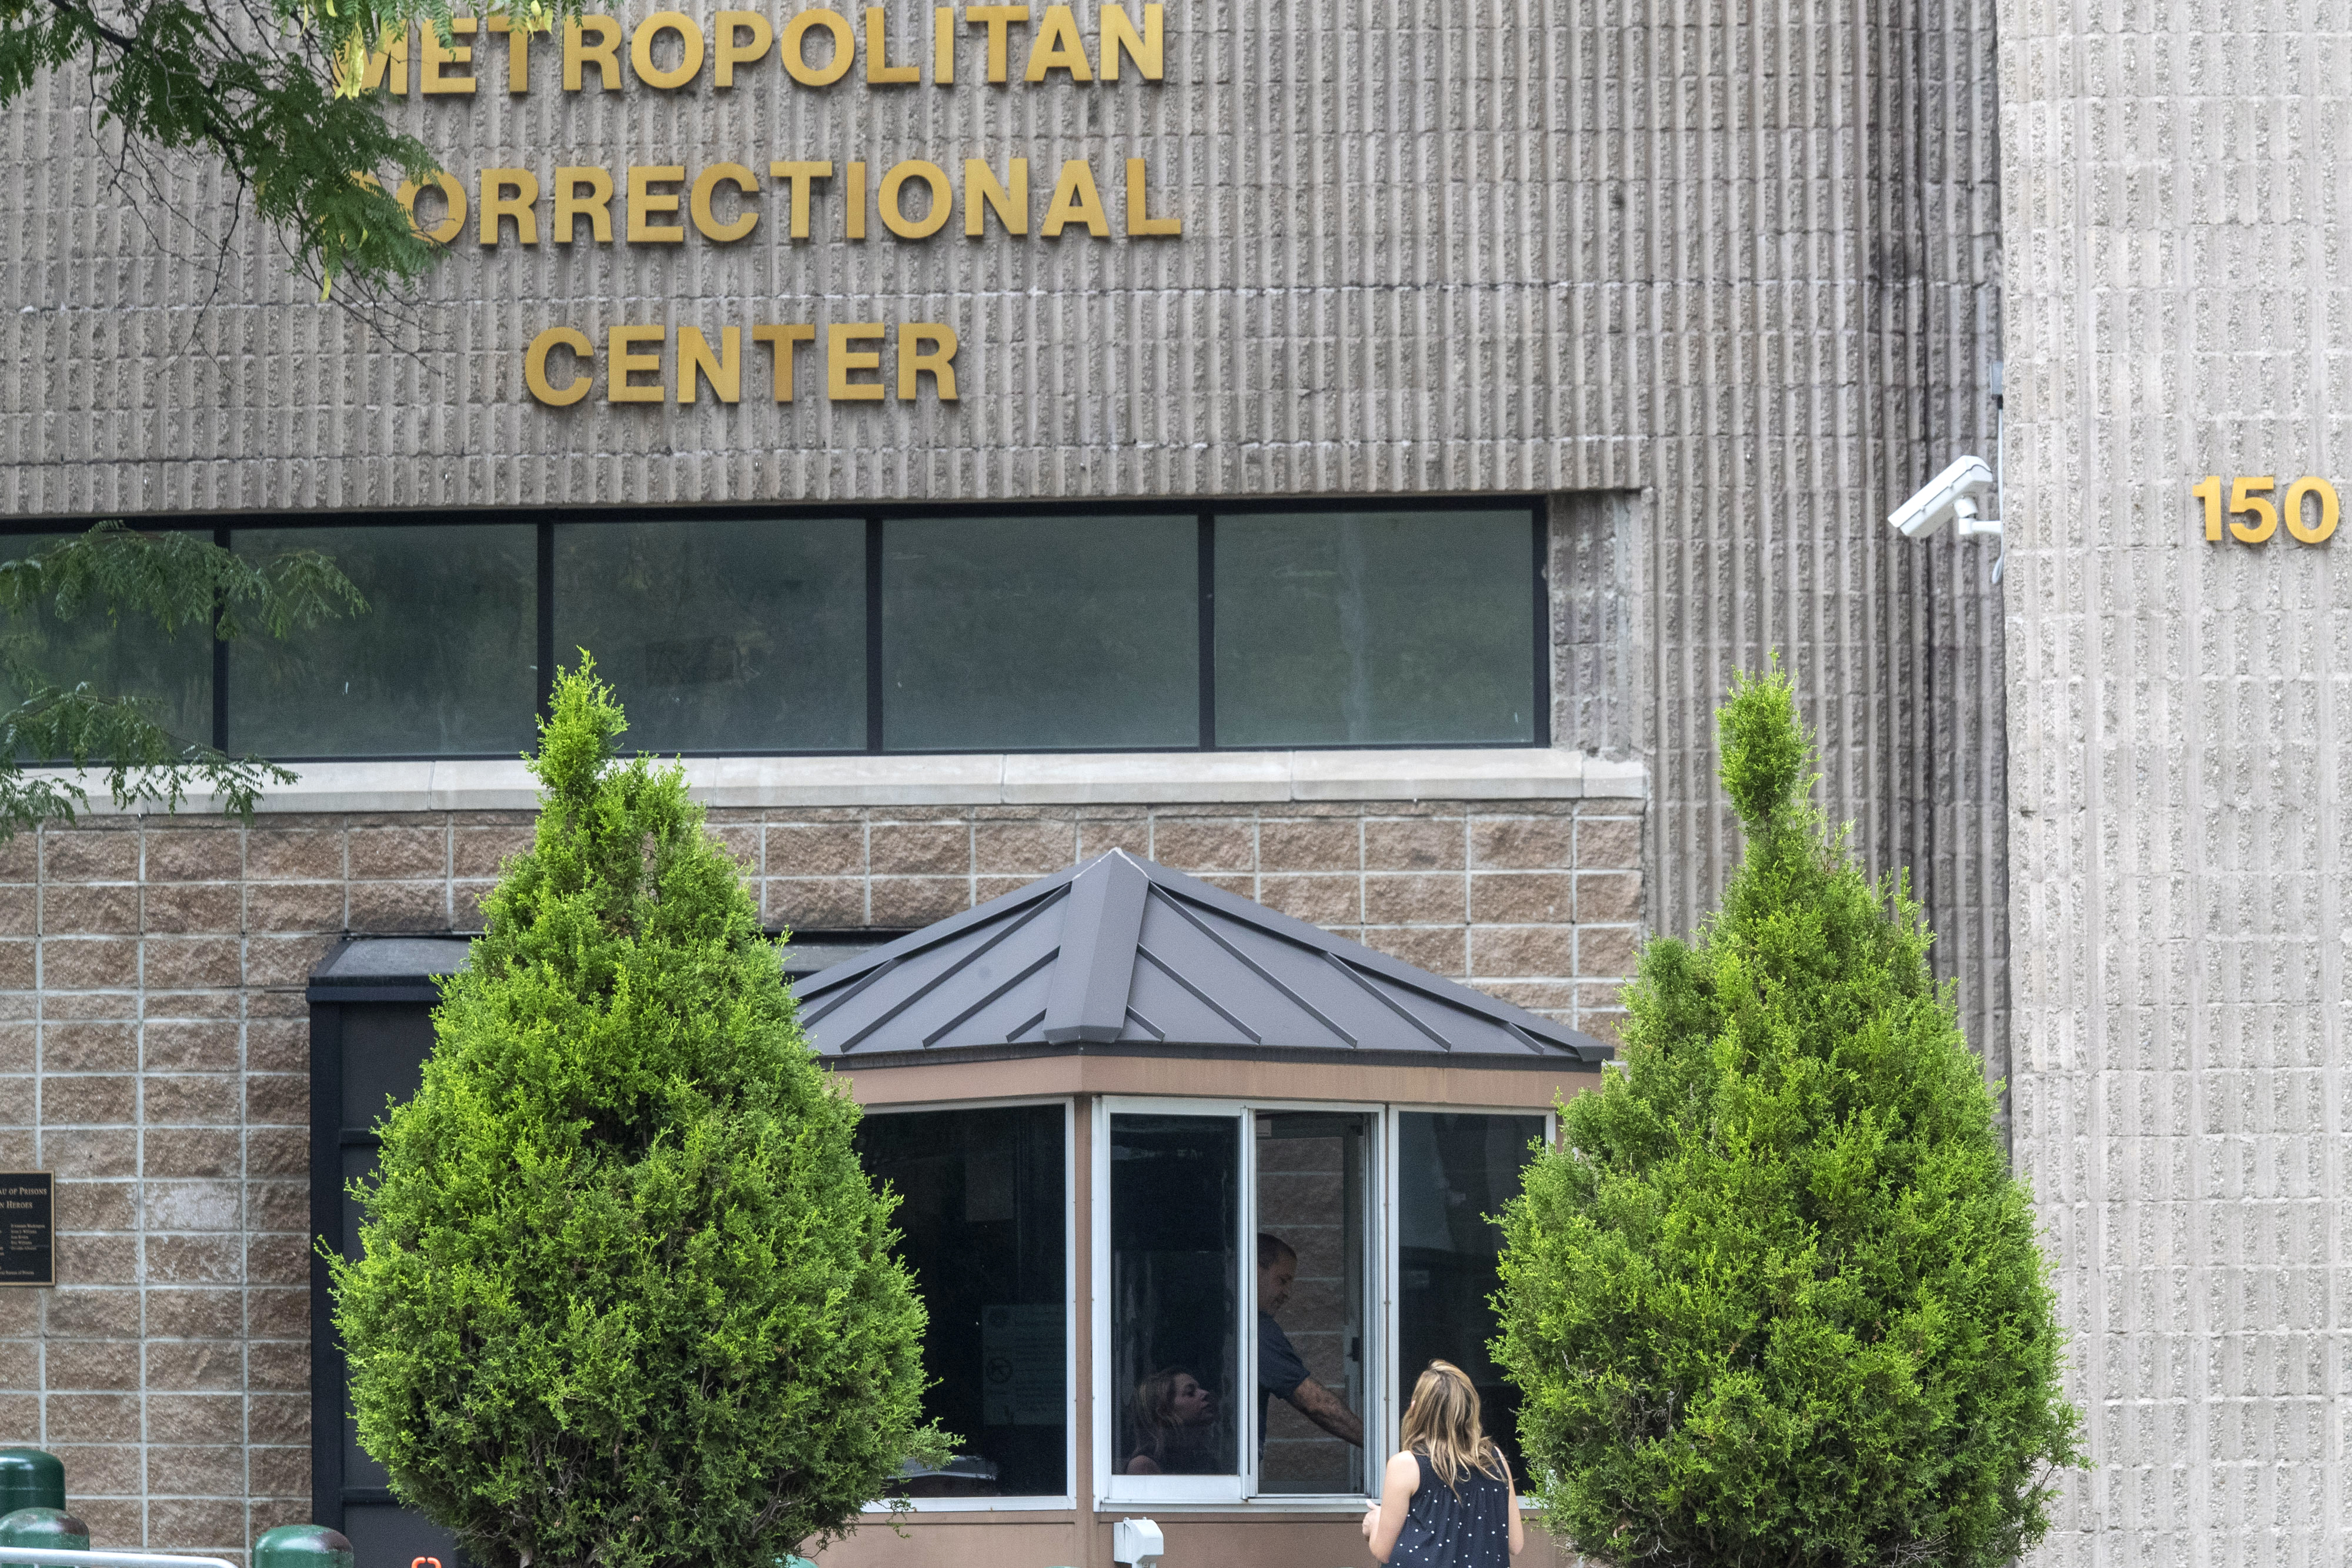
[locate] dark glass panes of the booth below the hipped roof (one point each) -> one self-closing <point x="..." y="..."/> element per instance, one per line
<point x="984" y="1219"/>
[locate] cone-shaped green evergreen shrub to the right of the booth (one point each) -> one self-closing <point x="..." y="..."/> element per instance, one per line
<point x="1777" y="1296"/>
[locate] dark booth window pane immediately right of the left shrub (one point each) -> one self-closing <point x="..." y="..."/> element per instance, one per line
<point x="984" y="1228"/>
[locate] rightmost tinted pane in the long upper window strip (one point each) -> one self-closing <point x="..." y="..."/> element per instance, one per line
<point x="1375" y="629"/>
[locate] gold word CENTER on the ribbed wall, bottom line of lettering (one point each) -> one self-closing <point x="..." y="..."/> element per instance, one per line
<point x="853" y="354"/>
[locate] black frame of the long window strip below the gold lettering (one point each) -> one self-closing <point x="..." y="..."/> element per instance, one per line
<point x="876" y="516"/>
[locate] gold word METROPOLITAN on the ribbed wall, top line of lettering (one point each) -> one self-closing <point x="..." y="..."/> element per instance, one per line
<point x="817" y="48"/>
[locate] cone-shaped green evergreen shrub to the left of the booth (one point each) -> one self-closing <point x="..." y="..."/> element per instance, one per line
<point x="624" y="1294"/>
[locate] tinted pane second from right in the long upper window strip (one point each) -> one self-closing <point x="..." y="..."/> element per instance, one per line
<point x="1005" y="634"/>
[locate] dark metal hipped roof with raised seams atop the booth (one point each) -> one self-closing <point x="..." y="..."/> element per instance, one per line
<point x="1128" y="958"/>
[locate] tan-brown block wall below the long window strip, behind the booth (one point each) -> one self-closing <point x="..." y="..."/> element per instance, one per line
<point x="154" y="1050"/>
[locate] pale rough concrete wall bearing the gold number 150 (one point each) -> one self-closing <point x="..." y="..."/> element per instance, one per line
<point x="2181" y="744"/>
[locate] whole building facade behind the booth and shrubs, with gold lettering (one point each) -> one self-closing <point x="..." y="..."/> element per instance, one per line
<point x="1022" y="415"/>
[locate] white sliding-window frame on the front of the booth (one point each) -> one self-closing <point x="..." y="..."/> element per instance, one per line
<point x="1384" y="1402"/>
